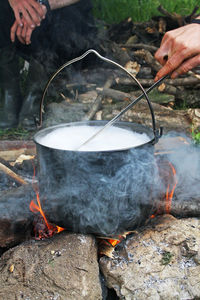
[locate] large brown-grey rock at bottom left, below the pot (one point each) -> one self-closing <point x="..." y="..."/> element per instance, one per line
<point x="64" y="267"/>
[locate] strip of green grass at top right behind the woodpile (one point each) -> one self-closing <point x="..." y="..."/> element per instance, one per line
<point x="114" y="11"/>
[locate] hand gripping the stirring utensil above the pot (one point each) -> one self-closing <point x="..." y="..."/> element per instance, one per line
<point x="179" y="51"/>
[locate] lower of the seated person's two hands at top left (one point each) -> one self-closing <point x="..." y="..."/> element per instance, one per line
<point x="23" y="33"/>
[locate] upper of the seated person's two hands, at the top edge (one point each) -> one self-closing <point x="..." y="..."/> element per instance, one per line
<point x="31" y="11"/>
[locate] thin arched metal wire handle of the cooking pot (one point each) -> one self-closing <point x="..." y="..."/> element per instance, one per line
<point x="157" y="133"/>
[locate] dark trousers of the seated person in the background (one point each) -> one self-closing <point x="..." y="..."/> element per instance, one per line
<point x="64" y="34"/>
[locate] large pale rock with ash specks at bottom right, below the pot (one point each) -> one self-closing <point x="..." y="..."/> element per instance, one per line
<point x="162" y="262"/>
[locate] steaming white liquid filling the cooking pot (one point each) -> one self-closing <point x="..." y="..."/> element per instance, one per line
<point x="112" y="138"/>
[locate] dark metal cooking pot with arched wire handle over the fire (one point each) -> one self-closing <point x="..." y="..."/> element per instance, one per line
<point x="102" y="192"/>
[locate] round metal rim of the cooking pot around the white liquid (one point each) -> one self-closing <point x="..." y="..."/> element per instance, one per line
<point x="123" y="124"/>
